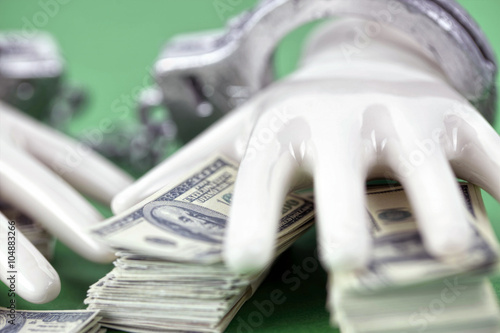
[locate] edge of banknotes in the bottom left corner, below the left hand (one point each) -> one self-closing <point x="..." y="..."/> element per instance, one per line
<point x="71" y="321"/>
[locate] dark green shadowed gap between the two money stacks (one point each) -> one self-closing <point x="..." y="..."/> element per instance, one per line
<point x="297" y="284"/>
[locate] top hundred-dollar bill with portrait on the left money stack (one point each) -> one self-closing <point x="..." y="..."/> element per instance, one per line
<point x="186" y="221"/>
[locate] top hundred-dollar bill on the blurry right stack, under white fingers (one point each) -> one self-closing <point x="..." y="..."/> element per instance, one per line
<point x="399" y="256"/>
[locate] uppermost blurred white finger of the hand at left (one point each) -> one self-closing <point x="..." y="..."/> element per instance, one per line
<point x="85" y="170"/>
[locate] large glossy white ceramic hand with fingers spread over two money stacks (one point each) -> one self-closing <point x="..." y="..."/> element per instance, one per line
<point x="386" y="112"/>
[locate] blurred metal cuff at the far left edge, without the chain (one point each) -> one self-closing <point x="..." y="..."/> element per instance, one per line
<point x="32" y="78"/>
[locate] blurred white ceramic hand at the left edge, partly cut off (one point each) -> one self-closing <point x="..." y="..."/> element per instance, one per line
<point x="37" y="164"/>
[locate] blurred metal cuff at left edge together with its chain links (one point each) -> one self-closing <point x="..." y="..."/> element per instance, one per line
<point x="32" y="80"/>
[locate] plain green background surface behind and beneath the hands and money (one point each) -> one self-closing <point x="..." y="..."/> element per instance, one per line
<point x="110" y="46"/>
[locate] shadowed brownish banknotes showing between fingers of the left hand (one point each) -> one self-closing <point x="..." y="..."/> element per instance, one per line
<point x="34" y="232"/>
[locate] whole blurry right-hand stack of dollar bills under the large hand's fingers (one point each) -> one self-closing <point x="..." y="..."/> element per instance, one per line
<point x="405" y="289"/>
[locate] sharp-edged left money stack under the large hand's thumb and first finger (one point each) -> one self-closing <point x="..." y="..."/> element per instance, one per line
<point x="169" y="275"/>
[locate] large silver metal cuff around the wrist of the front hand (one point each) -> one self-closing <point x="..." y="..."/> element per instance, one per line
<point x="201" y="77"/>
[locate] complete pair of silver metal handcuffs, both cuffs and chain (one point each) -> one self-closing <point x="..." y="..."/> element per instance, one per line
<point x="201" y="77"/>
